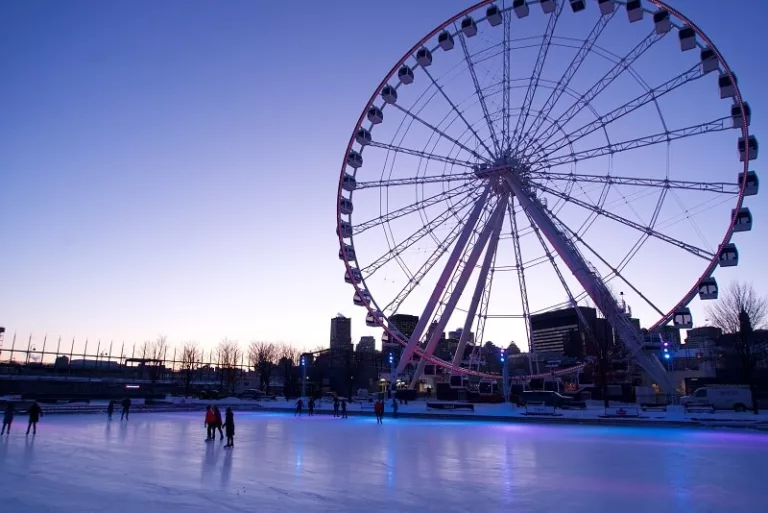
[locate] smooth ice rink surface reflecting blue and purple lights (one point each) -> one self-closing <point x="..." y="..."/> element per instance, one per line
<point x="158" y="463"/>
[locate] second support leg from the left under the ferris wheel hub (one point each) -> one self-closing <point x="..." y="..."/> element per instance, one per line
<point x="495" y="221"/>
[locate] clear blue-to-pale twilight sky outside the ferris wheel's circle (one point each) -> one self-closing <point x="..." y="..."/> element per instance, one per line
<point x="171" y="167"/>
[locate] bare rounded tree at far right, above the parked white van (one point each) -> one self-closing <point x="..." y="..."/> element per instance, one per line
<point x="725" y="313"/>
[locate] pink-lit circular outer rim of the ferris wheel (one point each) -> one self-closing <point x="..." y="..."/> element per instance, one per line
<point x="373" y="308"/>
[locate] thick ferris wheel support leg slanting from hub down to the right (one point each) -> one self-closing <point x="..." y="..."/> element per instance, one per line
<point x="591" y="282"/>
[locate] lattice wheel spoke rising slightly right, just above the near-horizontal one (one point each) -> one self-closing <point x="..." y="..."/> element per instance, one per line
<point x="718" y="125"/>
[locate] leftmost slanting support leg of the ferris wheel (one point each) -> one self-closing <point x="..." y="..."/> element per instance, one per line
<point x="453" y="259"/>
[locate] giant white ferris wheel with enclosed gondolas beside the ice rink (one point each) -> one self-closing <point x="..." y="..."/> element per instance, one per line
<point x="528" y="156"/>
